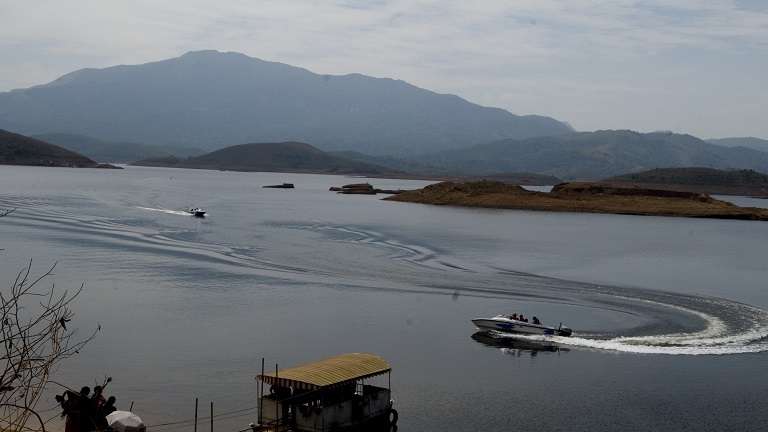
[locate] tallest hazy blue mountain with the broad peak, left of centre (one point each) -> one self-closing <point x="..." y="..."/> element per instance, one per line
<point x="206" y="98"/>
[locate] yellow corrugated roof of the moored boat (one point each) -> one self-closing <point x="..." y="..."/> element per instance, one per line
<point x="334" y="370"/>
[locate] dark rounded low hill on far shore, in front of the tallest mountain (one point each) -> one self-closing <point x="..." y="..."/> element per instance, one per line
<point x="272" y="157"/>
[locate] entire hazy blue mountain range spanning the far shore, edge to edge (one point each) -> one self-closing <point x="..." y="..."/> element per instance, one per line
<point x="168" y="112"/>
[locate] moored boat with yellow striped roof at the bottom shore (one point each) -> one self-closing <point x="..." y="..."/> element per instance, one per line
<point x="344" y="392"/>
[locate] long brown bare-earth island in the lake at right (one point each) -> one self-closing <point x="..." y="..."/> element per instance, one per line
<point x="581" y="197"/>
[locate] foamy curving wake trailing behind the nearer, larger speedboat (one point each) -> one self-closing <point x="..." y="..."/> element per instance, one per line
<point x="672" y="323"/>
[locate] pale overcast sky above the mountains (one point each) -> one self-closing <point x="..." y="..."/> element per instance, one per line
<point x="695" y="66"/>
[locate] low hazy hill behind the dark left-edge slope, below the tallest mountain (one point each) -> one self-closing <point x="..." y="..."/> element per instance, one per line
<point x="104" y="151"/>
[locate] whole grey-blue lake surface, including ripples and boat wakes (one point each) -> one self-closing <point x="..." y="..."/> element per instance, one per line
<point x="669" y="313"/>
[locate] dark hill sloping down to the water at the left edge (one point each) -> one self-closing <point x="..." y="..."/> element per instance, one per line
<point x="18" y="149"/>
